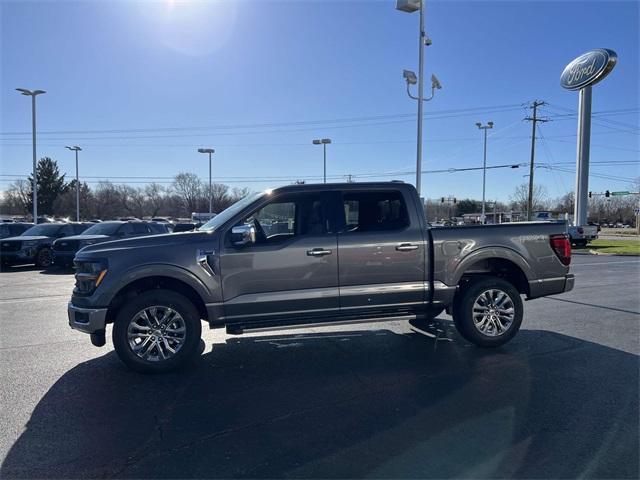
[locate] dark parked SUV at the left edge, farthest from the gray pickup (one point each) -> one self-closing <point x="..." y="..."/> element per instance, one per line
<point x="34" y="245"/>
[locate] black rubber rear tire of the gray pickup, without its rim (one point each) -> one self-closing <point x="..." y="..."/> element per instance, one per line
<point x="463" y="312"/>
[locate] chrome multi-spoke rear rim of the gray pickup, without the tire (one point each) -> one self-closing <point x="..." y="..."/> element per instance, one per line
<point x="493" y="312"/>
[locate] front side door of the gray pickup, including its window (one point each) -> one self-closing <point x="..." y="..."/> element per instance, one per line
<point x="293" y="266"/>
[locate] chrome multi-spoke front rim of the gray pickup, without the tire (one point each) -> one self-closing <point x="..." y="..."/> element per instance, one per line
<point x="156" y="333"/>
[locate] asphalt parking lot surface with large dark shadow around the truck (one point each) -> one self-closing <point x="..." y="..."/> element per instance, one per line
<point x="393" y="400"/>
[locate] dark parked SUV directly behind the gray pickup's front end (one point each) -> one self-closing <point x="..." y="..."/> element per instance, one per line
<point x="66" y="248"/>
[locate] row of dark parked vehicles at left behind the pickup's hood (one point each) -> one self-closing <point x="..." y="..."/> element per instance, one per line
<point x="48" y="244"/>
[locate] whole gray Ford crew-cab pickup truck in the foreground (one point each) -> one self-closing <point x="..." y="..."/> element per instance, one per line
<point x="313" y="254"/>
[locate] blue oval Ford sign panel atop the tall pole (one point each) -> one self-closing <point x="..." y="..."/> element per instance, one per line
<point x="588" y="69"/>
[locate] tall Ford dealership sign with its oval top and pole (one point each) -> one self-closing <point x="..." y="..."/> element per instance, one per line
<point x="581" y="74"/>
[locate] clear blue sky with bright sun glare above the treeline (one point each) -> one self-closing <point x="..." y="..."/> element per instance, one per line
<point x="141" y="85"/>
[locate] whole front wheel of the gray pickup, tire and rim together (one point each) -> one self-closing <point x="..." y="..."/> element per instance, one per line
<point x="158" y="331"/>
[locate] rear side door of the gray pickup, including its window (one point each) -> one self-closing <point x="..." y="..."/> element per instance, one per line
<point x="382" y="252"/>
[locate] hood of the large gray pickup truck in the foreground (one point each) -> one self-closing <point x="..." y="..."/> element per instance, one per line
<point x="160" y="242"/>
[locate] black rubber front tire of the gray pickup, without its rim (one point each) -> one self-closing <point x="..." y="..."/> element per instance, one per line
<point x="164" y="299"/>
